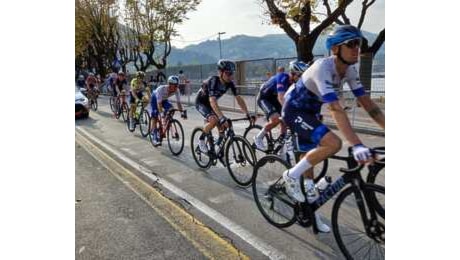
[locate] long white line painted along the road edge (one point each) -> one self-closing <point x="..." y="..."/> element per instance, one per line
<point x="251" y="239"/>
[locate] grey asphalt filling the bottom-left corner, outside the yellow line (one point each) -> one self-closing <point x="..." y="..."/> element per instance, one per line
<point x="112" y="222"/>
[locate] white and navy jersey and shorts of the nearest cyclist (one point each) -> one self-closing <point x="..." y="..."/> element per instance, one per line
<point x="303" y="101"/>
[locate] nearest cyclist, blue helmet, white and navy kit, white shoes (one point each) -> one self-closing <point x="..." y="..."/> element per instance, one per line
<point x="303" y="103"/>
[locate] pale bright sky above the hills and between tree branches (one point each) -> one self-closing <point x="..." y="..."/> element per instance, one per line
<point x="235" y="17"/>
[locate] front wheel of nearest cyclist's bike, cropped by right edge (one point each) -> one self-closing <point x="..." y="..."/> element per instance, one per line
<point x="349" y="215"/>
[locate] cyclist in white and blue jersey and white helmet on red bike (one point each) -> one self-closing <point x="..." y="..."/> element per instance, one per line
<point x="159" y="104"/>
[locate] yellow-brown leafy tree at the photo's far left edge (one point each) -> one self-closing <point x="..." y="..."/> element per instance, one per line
<point x="96" y="33"/>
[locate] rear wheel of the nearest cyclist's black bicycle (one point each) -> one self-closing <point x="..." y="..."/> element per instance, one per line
<point x="269" y="192"/>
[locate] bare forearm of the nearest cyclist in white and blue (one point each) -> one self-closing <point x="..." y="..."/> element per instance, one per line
<point x="343" y="123"/>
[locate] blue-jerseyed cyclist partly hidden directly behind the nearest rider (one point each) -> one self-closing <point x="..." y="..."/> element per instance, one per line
<point x="271" y="98"/>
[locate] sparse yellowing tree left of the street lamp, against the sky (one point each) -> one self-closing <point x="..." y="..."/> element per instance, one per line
<point x="152" y="24"/>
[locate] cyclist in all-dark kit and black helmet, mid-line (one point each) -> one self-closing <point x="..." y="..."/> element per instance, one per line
<point x="206" y="100"/>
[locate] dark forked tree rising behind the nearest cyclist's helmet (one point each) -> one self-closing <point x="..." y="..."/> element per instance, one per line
<point x="288" y="14"/>
